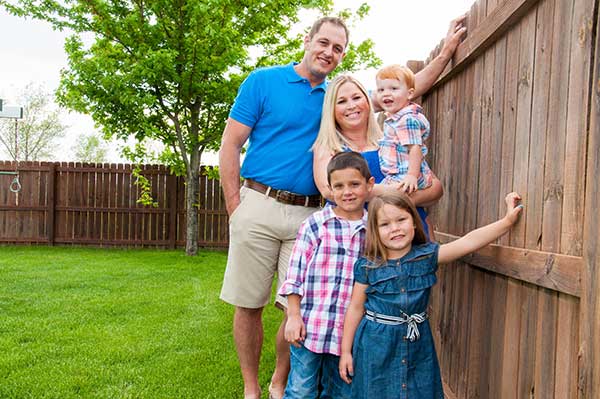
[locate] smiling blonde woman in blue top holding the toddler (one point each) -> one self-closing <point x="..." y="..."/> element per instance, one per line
<point x="348" y="123"/>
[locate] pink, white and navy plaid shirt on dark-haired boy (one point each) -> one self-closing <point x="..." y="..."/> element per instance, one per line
<point x="321" y="271"/>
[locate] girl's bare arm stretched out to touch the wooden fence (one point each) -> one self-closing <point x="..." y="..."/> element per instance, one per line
<point x="482" y="236"/>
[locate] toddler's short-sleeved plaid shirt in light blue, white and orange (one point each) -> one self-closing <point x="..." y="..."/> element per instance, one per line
<point x="406" y="127"/>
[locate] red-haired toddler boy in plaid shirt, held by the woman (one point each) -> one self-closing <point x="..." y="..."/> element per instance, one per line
<point x="402" y="150"/>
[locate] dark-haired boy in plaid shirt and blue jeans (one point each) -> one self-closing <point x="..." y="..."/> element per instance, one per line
<point x="320" y="278"/>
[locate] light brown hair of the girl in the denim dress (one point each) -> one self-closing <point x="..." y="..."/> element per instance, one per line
<point x="375" y="251"/>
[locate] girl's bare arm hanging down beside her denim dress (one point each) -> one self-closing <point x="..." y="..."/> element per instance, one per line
<point x="354" y="314"/>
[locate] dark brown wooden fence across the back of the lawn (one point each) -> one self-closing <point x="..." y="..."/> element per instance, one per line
<point x="95" y="204"/>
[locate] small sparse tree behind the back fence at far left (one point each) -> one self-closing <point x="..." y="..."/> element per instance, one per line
<point x="37" y="132"/>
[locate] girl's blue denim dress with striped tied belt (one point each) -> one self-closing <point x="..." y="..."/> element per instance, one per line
<point x="387" y="364"/>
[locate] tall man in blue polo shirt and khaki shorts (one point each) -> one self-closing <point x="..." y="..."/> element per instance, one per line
<point x="278" y="110"/>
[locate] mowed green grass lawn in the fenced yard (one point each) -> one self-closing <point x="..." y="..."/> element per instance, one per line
<point x="115" y="323"/>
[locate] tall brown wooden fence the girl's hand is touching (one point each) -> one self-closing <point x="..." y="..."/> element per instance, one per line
<point x="519" y="110"/>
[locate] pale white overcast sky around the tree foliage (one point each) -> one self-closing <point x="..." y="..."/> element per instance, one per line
<point x="31" y="52"/>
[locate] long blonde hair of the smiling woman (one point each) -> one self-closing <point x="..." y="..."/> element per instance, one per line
<point x="330" y="136"/>
